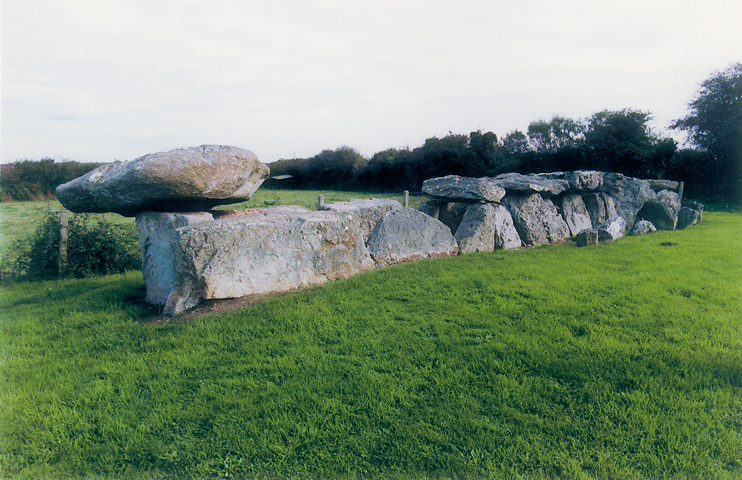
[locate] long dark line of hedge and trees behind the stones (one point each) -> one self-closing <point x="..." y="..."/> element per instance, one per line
<point x="610" y="141"/>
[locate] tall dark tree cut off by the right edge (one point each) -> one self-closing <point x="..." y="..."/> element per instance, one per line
<point x="715" y="123"/>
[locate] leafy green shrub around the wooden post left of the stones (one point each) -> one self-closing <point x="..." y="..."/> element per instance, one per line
<point x="95" y="246"/>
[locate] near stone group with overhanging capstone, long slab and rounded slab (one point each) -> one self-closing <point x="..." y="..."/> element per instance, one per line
<point x="192" y="252"/>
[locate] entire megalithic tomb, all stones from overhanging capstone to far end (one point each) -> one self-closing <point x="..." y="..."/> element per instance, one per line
<point x="193" y="252"/>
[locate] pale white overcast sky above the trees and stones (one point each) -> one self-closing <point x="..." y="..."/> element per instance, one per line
<point x="105" y="80"/>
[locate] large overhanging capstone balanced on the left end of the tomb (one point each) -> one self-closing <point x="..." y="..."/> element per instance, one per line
<point x="181" y="180"/>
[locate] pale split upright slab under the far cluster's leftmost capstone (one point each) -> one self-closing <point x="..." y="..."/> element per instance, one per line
<point x="486" y="227"/>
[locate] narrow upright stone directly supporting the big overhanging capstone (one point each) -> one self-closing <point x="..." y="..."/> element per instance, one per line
<point x="156" y="231"/>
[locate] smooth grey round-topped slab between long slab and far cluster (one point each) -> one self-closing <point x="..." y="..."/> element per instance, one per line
<point x="406" y="235"/>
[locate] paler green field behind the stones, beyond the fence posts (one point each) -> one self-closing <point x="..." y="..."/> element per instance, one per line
<point x="20" y="218"/>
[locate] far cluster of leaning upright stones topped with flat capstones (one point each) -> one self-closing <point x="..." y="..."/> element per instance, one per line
<point x="512" y="210"/>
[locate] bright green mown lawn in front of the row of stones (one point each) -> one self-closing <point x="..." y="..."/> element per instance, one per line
<point x="622" y="360"/>
